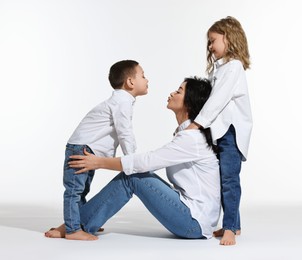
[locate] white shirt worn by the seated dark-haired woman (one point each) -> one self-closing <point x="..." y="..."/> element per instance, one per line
<point x="192" y="168"/>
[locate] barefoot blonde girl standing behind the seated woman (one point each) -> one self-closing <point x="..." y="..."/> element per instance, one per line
<point x="228" y="114"/>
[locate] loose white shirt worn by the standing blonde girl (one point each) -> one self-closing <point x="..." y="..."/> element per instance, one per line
<point x="228" y="104"/>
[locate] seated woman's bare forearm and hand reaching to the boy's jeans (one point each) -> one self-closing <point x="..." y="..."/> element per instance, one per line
<point x="91" y="162"/>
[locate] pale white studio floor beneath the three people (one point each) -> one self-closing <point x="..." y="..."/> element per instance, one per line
<point x="268" y="232"/>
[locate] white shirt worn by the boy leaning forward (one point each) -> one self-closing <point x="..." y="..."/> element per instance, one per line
<point x="107" y="125"/>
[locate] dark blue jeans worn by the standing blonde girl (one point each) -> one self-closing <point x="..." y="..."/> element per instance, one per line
<point x="230" y="165"/>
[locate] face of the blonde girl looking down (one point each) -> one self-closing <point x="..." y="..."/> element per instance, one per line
<point x="217" y="45"/>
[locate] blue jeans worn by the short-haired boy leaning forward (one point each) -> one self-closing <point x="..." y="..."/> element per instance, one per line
<point x="77" y="187"/>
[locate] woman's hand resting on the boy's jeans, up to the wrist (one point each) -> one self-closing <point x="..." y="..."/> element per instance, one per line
<point x="86" y="162"/>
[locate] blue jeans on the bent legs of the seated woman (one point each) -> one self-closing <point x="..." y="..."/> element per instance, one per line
<point x="159" y="198"/>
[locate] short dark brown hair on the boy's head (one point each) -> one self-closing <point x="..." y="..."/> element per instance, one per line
<point x="119" y="72"/>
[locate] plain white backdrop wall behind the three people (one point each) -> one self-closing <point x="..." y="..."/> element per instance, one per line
<point x="54" y="62"/>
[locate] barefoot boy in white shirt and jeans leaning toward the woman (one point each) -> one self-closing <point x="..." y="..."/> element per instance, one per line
<point x="106" y="126"/>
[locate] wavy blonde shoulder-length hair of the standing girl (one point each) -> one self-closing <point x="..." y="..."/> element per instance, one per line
<point x="237" y="46"/>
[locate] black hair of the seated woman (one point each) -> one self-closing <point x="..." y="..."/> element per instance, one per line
<point x="197" y="93"/>
